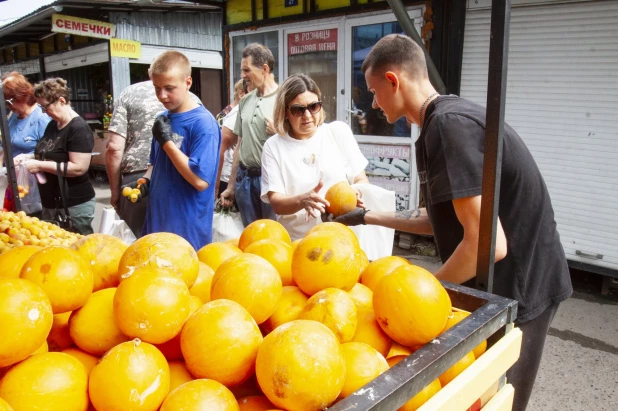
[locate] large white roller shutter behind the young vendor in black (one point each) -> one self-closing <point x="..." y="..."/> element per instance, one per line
<point x="562" y="98"/>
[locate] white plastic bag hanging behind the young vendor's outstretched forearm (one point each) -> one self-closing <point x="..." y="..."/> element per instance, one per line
<point x="376" y="241"/>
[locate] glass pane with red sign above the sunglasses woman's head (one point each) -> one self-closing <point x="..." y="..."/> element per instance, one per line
<point x="314" y="53"/>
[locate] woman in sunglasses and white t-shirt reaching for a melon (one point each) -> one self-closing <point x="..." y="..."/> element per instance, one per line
<point x="306" y="157"/>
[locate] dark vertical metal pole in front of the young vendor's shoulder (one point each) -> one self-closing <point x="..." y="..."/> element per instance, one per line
<point x="494" y="138"/>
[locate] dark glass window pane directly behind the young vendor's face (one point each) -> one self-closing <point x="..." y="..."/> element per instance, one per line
<point x="367" y="120"/>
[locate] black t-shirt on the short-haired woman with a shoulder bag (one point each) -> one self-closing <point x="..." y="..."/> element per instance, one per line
<point x="55" y="145"/>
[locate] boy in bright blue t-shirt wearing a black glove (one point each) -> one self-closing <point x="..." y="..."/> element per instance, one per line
<point x="184" y="157"/>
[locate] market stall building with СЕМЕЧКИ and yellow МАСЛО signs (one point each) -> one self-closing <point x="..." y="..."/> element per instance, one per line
<point x="101" y="48"/>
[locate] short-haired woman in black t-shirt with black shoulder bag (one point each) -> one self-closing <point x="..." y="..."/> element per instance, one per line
<point x="67" y="141"/>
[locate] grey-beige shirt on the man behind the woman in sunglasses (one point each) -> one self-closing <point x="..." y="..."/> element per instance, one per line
<point x="251" y="126"/>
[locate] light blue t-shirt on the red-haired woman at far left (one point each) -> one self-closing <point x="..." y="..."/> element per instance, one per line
<point x="25" y="133"/>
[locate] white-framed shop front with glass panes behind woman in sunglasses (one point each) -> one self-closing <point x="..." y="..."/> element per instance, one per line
<point x="330" y="47"/>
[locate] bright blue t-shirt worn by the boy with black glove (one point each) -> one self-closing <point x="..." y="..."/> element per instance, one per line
<point x="174" y="205"/>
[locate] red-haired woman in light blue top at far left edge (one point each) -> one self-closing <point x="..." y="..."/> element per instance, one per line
<point x="28" y="122"/>
